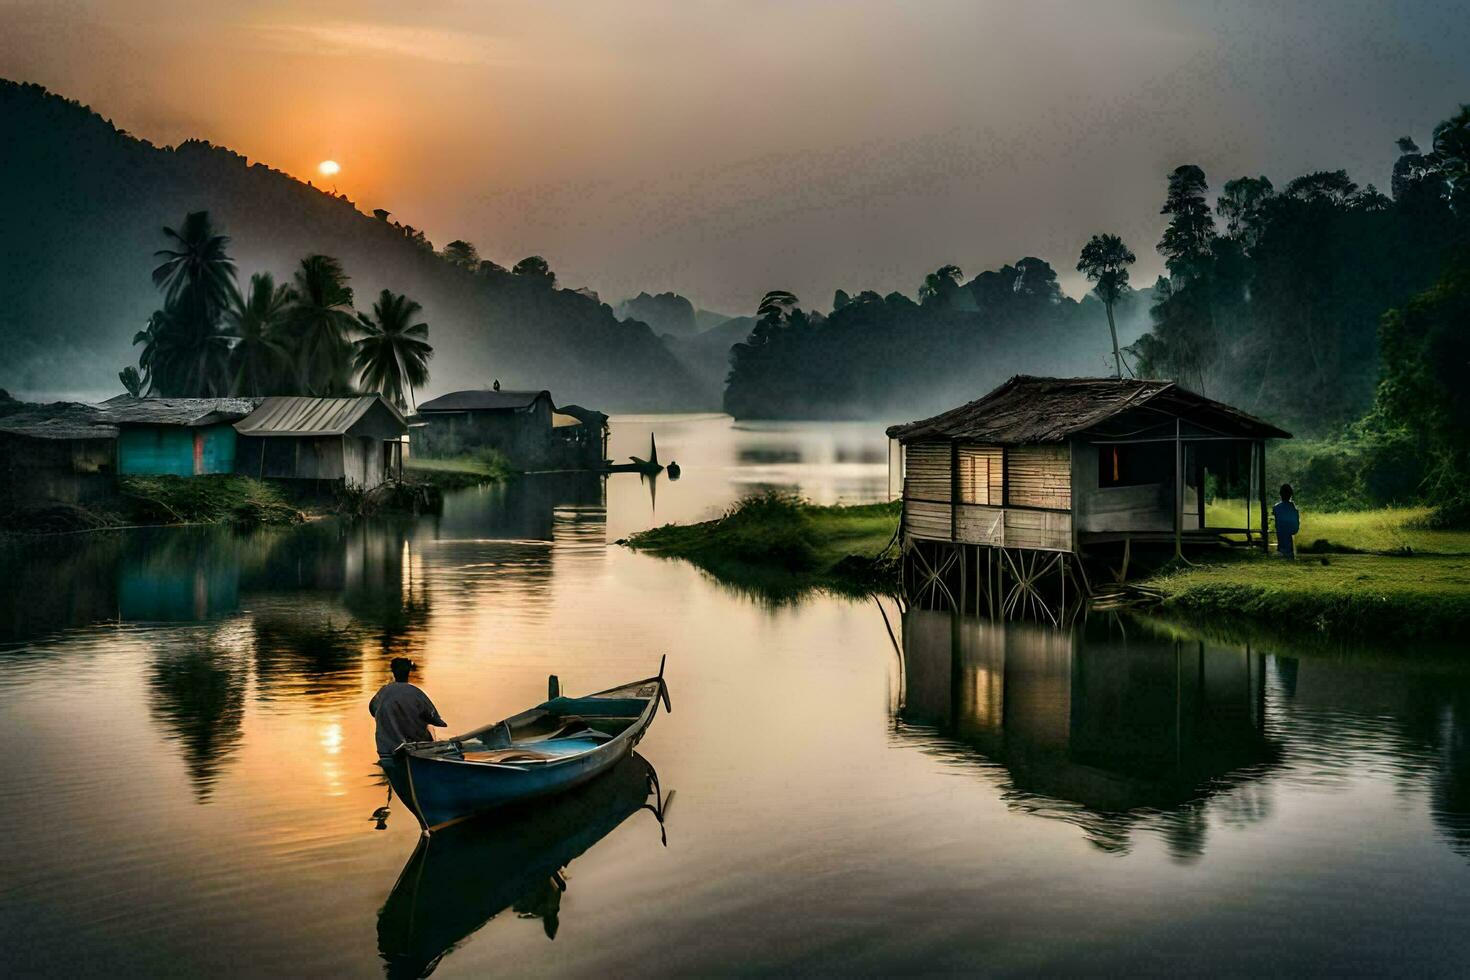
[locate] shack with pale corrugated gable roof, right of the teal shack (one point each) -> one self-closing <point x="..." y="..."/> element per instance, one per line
<point x="355" y="442"/>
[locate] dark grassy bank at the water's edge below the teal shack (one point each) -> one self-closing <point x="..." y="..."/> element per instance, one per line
<point x="207" y="500"/>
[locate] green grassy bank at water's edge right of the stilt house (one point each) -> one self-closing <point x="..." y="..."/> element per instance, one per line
<point x="1341" y="597"/>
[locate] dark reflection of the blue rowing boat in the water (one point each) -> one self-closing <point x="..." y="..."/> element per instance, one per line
<point x="467" y="875"/>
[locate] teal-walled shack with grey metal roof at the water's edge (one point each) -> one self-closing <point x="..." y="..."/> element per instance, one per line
<point x="177" y="437"/>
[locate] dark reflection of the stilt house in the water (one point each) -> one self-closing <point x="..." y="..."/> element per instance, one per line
<point x="1100" y="731"/>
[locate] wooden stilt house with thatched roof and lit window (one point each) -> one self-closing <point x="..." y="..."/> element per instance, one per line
<point x="1047" y="469"/>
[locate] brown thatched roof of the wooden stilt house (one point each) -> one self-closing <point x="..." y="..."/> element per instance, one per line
<point x="1030" y="409"/>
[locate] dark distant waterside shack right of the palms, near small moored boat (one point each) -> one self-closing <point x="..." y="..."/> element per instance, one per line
<point x="526" y="427"/>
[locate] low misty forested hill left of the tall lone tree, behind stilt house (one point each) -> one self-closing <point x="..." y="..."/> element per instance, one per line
<point x="893" y="358"/>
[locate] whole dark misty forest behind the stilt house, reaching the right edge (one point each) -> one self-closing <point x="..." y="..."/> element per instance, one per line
<point x="1274" y="302"/>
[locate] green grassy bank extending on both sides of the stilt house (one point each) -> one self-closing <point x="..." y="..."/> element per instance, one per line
<point x="780" y="549"/>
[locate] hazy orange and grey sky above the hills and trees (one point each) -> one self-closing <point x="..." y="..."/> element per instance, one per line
<point x="721" y="149"/>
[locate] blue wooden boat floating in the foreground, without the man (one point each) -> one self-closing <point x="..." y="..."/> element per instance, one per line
<point x="556" y="746"/>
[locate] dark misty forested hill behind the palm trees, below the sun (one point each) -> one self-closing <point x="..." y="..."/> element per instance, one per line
<point x="82" y="211"/>
